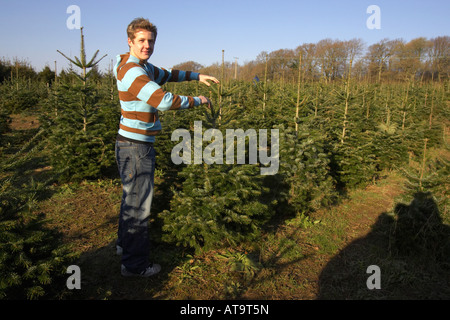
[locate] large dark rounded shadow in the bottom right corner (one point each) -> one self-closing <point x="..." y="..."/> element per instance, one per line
<point x="411" y="247"/>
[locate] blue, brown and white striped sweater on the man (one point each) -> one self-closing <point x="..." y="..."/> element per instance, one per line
<point x="141" y="96"/>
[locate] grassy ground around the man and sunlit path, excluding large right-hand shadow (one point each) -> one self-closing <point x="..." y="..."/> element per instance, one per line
<point x="285" y="264"/>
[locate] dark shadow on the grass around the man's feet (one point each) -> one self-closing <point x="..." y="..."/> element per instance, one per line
<point x="100" y="268"/>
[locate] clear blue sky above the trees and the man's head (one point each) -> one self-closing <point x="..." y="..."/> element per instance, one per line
<point x="199" y="30"/>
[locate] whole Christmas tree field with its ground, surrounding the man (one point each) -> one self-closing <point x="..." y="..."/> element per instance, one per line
<point x="362" y="180"/>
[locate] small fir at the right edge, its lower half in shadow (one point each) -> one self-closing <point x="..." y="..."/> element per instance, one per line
<point x="421" y="226"/>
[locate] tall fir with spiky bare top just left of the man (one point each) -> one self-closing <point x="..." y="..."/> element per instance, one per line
<point x="81" y="124"/>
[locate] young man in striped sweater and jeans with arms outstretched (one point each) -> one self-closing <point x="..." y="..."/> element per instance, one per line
<point x="141" y="97"/>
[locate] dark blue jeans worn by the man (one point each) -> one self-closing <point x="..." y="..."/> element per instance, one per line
<point x="136" y="163"/>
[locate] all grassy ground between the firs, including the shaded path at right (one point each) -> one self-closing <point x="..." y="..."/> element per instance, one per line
<point x="323" y="255"/>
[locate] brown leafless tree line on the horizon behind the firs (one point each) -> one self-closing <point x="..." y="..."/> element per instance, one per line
<point x="328" y="60"/>
